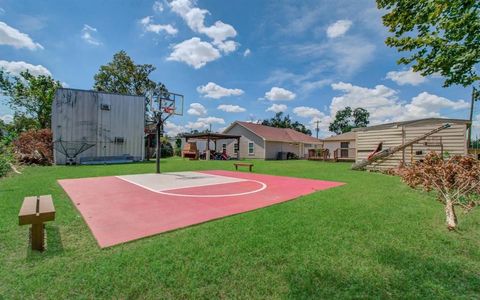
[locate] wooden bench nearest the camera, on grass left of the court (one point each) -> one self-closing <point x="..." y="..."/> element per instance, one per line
<point x="35" y="211"/>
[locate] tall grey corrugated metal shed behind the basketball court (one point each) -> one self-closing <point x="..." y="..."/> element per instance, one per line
<point x="111" y="124"/>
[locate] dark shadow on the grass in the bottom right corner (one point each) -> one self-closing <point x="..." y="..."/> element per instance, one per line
<point x="401" y="275"/>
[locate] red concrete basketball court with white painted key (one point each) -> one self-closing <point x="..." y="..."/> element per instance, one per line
<point x="125" y="208"/>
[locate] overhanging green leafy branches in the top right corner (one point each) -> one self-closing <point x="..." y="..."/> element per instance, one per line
<point x="443" y="36"/>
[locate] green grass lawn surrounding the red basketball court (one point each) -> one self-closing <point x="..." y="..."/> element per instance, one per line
<point x="372" y="238"/>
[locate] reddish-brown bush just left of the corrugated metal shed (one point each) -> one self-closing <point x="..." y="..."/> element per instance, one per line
<point x="34" y="147"/>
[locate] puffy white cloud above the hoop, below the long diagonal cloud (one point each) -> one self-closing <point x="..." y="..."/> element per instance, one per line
<point x="194" y="52"/>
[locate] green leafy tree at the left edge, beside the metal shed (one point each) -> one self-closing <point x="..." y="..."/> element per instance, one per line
<point x="31" y="96"/>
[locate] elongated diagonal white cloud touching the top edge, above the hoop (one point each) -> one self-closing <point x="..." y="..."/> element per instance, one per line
<point x="219" y="32"/>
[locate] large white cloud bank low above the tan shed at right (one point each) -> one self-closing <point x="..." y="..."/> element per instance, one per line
<point x="384" y="105"/>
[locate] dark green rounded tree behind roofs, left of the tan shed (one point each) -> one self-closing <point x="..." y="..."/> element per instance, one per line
<point x="347" y="119"/>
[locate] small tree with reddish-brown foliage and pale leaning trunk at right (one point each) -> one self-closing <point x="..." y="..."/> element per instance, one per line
<point x="456" y="181"/>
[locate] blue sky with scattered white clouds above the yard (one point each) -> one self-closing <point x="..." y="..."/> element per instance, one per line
<point x="233" y="60"/>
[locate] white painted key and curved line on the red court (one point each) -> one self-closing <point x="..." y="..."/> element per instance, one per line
<point x="151" y="182"/>
